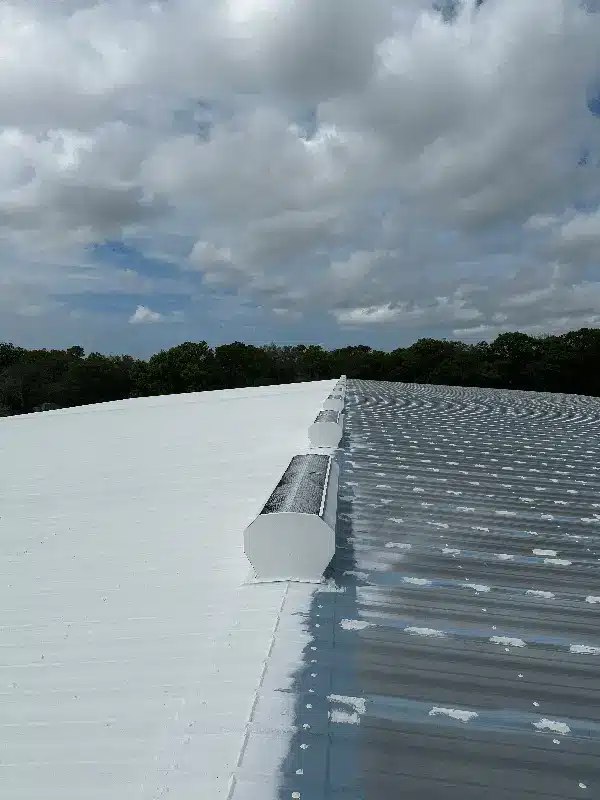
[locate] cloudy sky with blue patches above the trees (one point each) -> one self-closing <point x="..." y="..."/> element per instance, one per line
<point x="319" y="171"/>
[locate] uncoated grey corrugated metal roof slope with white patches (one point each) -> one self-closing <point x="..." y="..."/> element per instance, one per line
<point x="457" y="654"/>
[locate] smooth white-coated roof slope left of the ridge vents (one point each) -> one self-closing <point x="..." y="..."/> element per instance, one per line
<point x="132" y="646"/>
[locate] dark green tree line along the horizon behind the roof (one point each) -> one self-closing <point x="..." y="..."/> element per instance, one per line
<point x="39" y="380"/>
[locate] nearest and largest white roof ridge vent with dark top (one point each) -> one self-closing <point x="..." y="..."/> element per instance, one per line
<point x="293" y="537"/>
